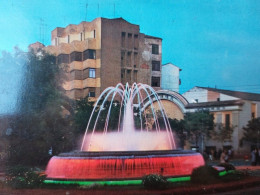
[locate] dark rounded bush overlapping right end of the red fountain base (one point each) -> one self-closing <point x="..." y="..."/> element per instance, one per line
<point x="204" y="175"/>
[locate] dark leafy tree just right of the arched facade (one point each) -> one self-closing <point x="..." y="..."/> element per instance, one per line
<point x="199" y="125"/>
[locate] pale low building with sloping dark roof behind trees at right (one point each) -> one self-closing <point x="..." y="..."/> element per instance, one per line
<point x="230" y="108"/>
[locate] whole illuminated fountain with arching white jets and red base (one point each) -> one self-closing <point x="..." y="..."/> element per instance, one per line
<point x="130" y="151"/>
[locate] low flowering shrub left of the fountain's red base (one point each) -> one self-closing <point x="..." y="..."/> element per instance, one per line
<point x="23" y="177"/>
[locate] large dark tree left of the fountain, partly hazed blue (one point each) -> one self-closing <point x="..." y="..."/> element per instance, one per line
<point x="40" y="126"/>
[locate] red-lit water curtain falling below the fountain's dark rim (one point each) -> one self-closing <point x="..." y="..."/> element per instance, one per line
<point x="84" y="168"/>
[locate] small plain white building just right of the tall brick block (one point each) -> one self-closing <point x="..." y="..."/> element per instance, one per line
<point x="170" y="77"/>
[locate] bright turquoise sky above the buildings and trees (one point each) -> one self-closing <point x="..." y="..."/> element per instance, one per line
<point x="216" y="43"/>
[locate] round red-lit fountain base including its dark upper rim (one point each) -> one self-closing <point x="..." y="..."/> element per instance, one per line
<point x="90" y="166"/>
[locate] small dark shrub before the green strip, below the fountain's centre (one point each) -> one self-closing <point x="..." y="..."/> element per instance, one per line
<point x="154" y="181"/>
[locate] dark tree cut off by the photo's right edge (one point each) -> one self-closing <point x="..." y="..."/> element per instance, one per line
<point x="252" y="132"/>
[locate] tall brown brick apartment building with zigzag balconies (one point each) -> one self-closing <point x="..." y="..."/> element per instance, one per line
<point x="104" y="52"/>
